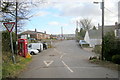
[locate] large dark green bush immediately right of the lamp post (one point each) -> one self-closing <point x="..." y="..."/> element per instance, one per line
<point x="111" y="46"/>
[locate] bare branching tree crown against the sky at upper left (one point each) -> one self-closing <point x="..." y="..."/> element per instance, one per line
<point x="8" y="11"/>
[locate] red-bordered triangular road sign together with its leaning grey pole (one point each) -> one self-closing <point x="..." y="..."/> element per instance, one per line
<point x="9" y="26"/>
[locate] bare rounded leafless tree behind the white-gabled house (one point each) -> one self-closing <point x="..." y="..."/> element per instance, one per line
<point x="86" y="24"/>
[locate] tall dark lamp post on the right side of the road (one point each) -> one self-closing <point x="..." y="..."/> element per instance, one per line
<point x="102" y="3"/>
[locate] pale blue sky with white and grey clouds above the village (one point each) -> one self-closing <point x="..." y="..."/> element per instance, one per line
<point x="54" y="14"/>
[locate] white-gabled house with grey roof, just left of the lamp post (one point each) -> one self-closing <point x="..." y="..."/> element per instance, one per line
<point x="93" y="37"/>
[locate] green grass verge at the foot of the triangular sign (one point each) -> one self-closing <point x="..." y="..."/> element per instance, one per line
<point x="10" y="70"/>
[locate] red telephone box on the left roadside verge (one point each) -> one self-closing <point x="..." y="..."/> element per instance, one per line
<point x="22" y="47"/>
